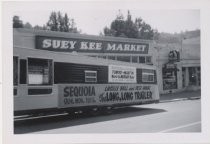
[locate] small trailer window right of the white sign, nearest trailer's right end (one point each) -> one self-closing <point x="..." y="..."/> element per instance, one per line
<point x="148" y="75"/>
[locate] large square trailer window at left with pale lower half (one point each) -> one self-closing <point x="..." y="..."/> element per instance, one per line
<point x="39" y="71"/>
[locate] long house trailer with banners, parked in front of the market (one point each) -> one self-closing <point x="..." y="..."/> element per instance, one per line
<point x="47" y="81"/>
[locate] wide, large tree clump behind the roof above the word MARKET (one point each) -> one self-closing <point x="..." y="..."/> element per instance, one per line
<point x="128" y="28"/>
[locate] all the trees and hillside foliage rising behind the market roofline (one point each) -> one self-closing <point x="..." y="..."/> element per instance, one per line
<point x="120" y="27"/>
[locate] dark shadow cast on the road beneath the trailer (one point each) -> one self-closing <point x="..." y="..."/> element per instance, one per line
<point x="49" y="123"/>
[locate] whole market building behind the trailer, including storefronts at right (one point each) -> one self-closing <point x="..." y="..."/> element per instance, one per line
<point x="178" y="64"/>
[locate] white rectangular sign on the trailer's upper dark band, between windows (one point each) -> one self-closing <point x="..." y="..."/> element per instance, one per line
<point x="122" y="74"/>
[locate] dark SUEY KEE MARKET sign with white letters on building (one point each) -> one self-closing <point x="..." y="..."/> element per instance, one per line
<point x="87" y="45"/>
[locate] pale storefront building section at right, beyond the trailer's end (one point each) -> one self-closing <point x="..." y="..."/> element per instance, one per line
<point x="179" y="65"/>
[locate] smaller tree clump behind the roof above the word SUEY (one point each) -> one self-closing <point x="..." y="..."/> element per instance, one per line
<point x="57" y="22"/>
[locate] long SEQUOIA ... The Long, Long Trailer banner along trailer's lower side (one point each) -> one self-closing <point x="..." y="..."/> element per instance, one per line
<point x="73" y="95"/>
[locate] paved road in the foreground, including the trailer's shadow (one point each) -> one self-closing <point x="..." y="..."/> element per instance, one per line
<point x="171" y="117"/>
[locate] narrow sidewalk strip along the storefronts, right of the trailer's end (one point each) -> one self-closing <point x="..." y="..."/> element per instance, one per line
<point x="185" y="95"/>
